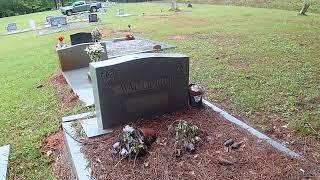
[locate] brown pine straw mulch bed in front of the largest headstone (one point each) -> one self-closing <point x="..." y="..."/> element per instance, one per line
<point x="254" y="160"/>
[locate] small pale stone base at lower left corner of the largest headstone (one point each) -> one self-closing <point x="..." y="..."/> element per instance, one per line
<point x="91" y="128"/>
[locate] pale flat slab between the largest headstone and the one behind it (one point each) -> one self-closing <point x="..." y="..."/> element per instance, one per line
<point x="80" y="84"/>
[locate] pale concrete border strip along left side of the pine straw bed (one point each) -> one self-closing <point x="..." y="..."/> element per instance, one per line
<point x="80" y="165"/>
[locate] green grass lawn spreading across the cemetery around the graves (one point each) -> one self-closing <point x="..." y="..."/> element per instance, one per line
<point x="253" y="61"/>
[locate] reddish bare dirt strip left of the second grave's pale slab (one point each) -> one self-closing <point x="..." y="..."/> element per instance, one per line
<point x="68" y="100"/>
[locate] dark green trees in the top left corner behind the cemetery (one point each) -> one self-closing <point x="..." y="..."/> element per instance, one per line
<point x="19" y="7"/>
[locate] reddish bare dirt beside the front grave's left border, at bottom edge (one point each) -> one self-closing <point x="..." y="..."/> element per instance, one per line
<point x="54" y="147"/>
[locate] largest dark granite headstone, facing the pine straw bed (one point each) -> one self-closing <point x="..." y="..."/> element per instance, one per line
<point x="139" y="86"/>
